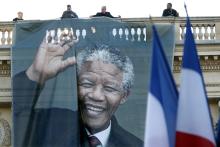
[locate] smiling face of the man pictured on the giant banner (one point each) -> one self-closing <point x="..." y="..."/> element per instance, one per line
<point x="100" y="93"/>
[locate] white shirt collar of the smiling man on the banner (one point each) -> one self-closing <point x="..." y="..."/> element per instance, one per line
<point x="102" y="136"/>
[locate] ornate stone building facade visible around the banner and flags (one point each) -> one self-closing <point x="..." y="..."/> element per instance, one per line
<point x="206" y="31"/>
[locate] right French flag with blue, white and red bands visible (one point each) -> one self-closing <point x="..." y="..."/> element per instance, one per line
<point x="194" y="127"/>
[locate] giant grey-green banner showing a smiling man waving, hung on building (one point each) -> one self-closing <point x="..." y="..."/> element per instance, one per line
<point x="77" y="79"/>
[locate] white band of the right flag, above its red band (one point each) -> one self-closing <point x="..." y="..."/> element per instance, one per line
<point x="193" y="114"/>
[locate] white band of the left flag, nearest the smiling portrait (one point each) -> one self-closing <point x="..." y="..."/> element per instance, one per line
<point x="156" y="129"/>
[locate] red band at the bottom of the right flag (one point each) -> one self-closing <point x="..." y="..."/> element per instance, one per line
<point x="190" y="140"/>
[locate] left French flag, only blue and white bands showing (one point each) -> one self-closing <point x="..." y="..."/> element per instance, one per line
<point x="160" y="130"/>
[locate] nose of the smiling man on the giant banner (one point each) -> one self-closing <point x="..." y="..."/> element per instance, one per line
<point x="97" y="93"/>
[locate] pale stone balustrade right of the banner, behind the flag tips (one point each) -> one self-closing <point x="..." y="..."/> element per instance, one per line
<point x="204" y="28"/>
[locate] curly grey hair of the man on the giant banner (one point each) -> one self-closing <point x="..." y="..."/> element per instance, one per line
<point x="114" y="56"/>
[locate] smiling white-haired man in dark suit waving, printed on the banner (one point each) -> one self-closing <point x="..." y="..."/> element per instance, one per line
<point x="105" y="77"/>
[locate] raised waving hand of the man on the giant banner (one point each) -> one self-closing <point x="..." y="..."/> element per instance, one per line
<point x="49" y="60"/>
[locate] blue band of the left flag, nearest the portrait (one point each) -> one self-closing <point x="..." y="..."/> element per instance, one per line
<point x="163" y="86"/>
